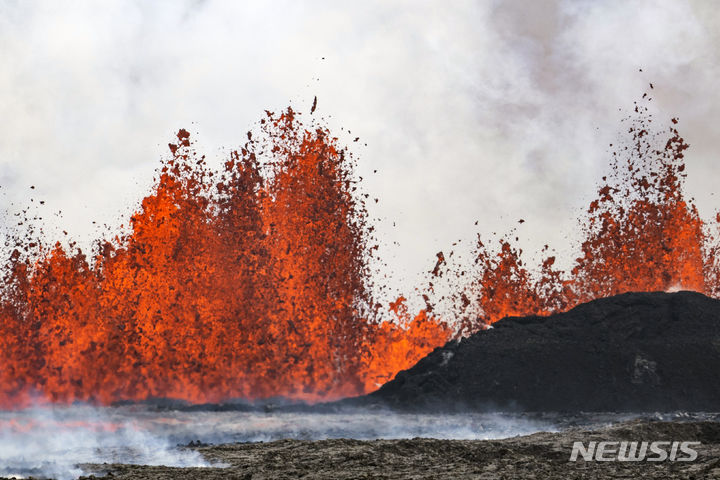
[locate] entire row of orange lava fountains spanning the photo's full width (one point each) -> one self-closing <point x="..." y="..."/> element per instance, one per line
<point x="253" y="281"/>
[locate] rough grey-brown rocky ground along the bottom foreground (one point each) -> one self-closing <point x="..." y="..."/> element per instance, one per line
<point x="537" y="456"/>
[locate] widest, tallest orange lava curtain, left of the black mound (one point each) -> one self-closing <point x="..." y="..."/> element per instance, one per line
<point x="250" y="282"/>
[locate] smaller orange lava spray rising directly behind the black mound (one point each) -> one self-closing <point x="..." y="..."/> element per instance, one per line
<point x="640" y="234"/>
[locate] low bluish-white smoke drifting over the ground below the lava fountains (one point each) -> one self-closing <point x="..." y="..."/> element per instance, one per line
<point x="59" y="442"/>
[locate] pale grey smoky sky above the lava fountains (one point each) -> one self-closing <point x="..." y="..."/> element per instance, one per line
<point x="490" y="110"/>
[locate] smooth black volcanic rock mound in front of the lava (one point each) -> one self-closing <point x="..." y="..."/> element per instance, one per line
<point x="632" y="352"/>
